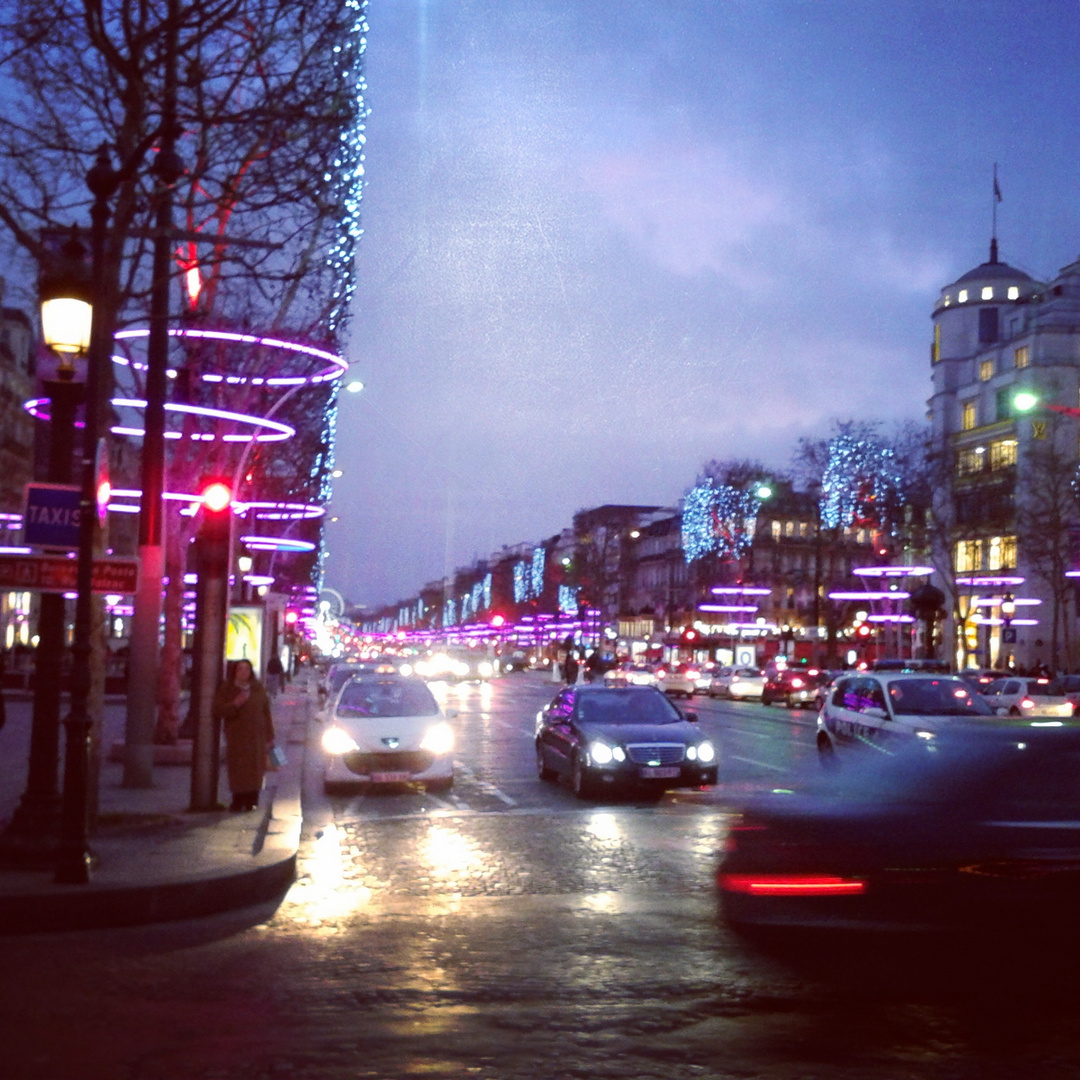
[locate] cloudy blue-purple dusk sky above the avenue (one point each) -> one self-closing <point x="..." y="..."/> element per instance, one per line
<point x="606" y="242"/>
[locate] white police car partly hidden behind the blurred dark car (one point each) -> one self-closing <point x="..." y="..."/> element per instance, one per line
<point x="882" y="711"/>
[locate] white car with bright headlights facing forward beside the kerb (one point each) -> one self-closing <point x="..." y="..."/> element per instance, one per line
<point x="388" y="730"/>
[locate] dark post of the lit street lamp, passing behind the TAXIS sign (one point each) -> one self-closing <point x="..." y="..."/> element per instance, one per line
<point x="32" y="836"/>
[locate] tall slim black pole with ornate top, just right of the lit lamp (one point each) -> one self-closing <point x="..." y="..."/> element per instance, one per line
<point x="74" y="858"/>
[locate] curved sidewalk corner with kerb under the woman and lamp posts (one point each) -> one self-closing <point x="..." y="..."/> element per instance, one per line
<point x="157" y="862"/>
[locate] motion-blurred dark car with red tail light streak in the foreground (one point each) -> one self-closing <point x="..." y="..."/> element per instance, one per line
<point x="975" y="827"/>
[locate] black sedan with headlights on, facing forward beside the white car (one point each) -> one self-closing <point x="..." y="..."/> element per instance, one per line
<point x="607" y="738"/>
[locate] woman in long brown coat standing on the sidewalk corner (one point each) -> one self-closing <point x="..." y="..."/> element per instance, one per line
<point x="244" y="706"/>
